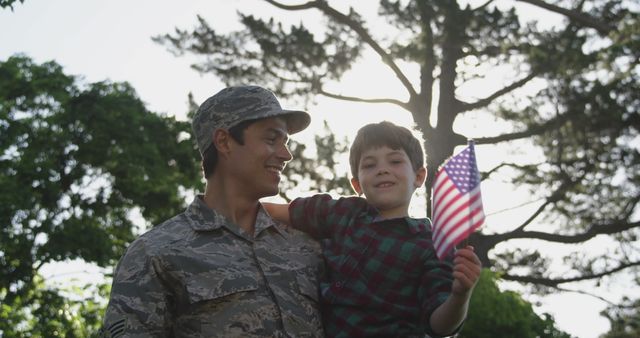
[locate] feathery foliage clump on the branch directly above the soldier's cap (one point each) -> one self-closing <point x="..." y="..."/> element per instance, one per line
<point x="269" y="53"/>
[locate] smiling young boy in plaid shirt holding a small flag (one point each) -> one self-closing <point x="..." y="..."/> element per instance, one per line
<point x="384" y="278"/>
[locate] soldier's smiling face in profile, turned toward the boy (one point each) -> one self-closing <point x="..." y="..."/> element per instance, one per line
<point x="258" y="164"/>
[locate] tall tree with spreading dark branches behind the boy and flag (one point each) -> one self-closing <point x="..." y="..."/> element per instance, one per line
<point x="570" y="91"/>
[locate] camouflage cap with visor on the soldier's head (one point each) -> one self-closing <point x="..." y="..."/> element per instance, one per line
<point x="233" y="105"/>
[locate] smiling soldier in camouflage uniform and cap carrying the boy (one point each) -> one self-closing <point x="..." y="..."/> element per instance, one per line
<point x="224" y="267"/>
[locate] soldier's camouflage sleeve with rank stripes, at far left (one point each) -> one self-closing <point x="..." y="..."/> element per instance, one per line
<point x="140" y="304"/>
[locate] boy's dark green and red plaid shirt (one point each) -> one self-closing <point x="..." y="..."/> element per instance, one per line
<point x="384" y="278"/>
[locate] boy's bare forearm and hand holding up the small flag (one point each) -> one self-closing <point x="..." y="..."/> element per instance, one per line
<point x="447" y="317"/>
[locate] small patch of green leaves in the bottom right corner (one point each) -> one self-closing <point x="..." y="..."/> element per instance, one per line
<point x="624" y="319"/>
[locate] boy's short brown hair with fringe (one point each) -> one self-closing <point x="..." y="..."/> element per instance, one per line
<point x="381" y="134"/>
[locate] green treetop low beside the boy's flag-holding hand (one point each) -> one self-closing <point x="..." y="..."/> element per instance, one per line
<point x="495" y="313"/>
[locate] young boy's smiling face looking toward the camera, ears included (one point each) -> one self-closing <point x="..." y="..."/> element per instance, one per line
<point x="387" y="179"/>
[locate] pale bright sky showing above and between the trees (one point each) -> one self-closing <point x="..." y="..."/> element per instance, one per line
<point x="111" y="40"/>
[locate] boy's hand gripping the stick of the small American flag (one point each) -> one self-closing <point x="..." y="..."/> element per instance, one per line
<point x="466" y="271"/>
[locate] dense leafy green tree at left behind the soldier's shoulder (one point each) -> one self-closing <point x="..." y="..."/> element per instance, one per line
<point x="75" y="160"/>
